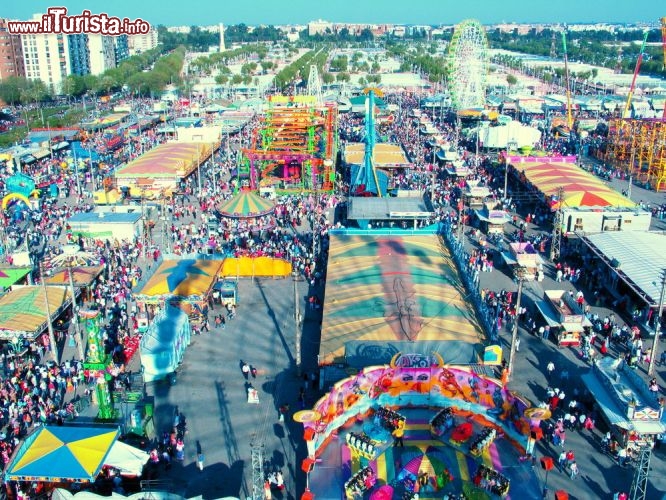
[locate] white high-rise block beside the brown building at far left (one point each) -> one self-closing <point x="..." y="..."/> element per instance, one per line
<point x="46" y="57"/>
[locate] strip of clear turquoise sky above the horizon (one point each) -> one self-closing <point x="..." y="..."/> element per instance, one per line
<point x="205" y="12"/>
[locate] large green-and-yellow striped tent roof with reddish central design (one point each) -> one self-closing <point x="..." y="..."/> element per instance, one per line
<point x="390" y="294"/>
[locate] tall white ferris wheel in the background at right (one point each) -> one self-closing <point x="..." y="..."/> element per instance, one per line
<point x="468" y="65"/>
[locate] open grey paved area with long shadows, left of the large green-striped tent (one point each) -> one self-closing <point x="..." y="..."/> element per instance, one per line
<point x="211" y="393"/>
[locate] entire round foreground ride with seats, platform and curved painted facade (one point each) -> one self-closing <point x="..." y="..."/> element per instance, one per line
<point x="447" y="412"/>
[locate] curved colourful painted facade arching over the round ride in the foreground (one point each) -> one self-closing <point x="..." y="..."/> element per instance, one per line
<point x="416" y="381"/>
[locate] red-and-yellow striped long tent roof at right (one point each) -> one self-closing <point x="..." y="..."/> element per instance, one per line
<point x="581" y="189"/>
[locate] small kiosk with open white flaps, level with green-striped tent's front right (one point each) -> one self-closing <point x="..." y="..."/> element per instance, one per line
<point x="561" y="312"/>
